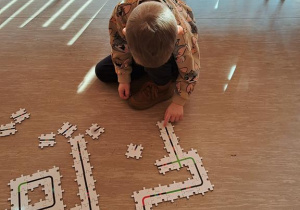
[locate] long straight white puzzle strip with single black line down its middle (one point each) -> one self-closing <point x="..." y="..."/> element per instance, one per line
<point x="84" y="177"/>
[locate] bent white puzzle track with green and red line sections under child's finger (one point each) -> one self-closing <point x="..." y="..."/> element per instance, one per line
<point x="199" y="184"/>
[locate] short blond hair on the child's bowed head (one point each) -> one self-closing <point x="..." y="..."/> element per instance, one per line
<point x="151" y="32"/>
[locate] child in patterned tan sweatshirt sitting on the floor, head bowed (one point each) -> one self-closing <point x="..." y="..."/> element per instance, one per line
<point x="159" y="38"/>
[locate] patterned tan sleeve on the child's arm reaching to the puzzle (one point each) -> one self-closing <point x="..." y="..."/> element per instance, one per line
<point x="186" y="53"/>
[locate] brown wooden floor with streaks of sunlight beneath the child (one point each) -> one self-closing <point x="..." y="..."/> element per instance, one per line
<point x="243" y="117"/>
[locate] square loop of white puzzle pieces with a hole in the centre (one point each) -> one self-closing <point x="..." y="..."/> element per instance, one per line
<point x="50" y="180"/>
